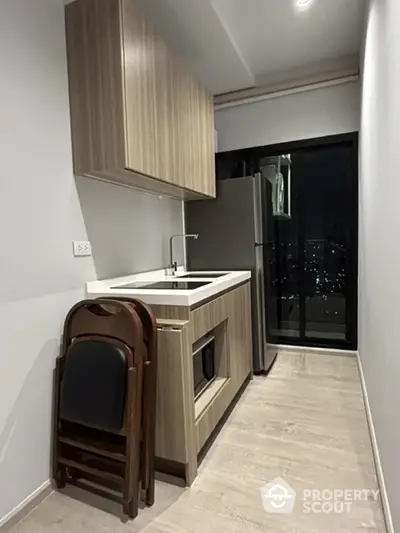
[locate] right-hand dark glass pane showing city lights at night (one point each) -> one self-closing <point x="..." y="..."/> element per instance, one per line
<point x="326" y="217"/>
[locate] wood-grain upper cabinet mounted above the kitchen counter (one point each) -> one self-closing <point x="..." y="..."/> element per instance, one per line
<point x="138" y="116"/>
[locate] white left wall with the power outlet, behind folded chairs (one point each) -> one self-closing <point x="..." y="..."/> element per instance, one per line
<point x="42" y="210"/>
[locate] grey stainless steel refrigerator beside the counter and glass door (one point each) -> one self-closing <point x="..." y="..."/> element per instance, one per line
<point x="232" y="231"/>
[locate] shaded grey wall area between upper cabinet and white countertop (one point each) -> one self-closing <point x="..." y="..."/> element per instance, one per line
<point x="129" y="230"/>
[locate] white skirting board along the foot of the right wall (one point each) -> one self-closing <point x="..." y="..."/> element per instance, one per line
<point x="378" y="465"/>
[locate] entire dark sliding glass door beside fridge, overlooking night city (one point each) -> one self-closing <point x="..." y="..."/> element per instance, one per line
<point x="312" y="261"/>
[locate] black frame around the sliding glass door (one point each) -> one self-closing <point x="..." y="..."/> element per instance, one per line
<point x="251" y="157"/>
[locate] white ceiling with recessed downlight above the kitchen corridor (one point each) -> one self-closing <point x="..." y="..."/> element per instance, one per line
<point x="236" y="44"/>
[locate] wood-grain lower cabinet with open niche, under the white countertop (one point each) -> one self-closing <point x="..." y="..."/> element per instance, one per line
<point x="186" y="420"/>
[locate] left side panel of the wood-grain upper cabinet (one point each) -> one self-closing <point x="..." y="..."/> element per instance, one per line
<point x="95" y="85"/>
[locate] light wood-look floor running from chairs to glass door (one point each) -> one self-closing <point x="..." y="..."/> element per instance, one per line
<point x="305" y="422"/>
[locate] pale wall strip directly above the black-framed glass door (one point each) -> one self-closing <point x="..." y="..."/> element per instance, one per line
<point x="316" y="113"/>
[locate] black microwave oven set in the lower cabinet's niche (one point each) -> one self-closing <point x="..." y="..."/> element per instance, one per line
<point x="203" y="364"/>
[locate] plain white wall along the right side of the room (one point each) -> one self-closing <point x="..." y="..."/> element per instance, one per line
<point x="379" y="283"/>
